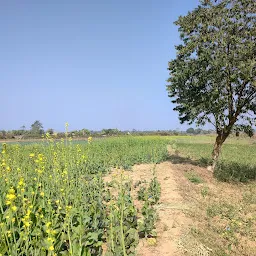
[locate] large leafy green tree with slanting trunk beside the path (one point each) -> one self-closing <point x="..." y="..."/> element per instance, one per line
<point x="212" y="79"/>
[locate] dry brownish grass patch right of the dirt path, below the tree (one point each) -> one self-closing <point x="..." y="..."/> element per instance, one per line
<point x="224" y="215"/>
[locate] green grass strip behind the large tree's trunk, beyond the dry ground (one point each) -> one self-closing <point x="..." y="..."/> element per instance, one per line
<point x="237" y="161"/>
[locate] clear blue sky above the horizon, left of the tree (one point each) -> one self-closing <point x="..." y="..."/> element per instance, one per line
<point x="93" y="63"/>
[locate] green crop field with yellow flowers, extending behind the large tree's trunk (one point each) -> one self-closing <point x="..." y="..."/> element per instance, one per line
<point x="54" y="201"/>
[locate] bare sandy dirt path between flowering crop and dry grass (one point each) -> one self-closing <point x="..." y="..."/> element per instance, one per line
<point x="172" y="223"/>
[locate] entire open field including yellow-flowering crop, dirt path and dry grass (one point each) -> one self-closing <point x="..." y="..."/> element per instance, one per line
<point x="127" y="196"/>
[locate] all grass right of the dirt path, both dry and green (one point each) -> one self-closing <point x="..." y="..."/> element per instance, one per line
<point x="223" y="213"/>
